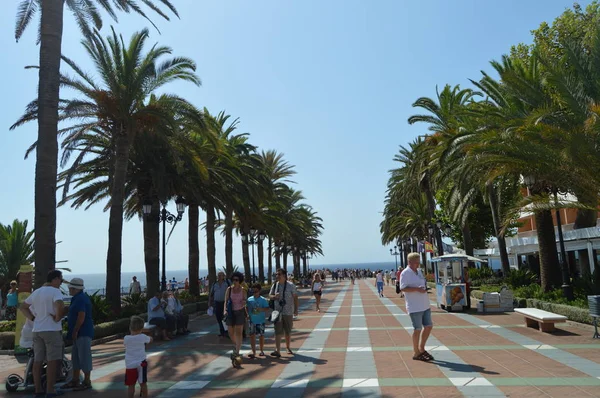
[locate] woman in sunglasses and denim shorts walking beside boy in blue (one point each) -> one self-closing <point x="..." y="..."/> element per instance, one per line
<point x="235" y="312"/>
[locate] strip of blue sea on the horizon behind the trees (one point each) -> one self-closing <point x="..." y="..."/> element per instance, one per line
<point x="97" y="282"/>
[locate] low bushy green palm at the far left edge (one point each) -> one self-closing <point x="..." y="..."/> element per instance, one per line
<point x="16" y="249"/>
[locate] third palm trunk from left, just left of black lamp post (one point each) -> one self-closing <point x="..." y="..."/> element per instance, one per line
<point x="151" y="249"/>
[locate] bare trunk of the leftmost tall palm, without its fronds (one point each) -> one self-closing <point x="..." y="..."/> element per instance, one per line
<point x="51" y="30"/>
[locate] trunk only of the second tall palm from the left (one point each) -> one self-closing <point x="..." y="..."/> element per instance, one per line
<point x="115" y="224"/>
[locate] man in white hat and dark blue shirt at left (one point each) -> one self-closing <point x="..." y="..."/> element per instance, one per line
<point x="81" y="331"/>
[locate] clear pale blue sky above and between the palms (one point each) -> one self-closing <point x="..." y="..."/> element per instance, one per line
<point x="328" y="83"/>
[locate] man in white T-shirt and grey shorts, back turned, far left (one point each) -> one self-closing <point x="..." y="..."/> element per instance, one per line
<point x="47" y="302"/>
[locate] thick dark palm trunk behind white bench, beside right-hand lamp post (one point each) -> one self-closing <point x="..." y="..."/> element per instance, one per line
<point x="549" y="266"/>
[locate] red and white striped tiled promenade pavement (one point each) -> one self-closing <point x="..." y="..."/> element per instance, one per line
<point x="360" y="346"/>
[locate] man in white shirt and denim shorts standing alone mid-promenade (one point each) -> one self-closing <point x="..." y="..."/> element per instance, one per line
<point x="414" y="287"/>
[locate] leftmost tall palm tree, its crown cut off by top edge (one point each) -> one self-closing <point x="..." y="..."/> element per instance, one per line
<point x="50" y="40"/>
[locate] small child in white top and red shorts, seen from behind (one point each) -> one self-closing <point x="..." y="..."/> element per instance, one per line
<point x="135" y="357"/>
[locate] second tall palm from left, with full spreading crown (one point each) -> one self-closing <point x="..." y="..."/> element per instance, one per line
<point x="124" y="106"/>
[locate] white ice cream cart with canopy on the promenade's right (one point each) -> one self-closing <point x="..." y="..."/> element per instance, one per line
<point x="451" y="287"/>
